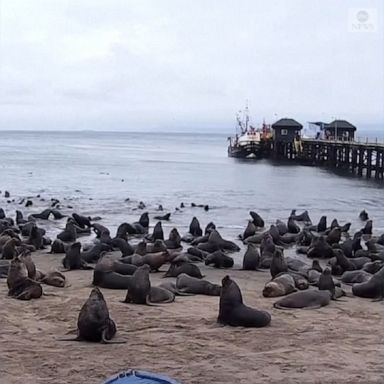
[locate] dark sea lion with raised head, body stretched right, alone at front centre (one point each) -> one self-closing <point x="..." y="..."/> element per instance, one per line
<point x="233" y="312"/>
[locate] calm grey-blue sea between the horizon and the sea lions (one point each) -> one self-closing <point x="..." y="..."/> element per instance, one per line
<point x="95" y="173"/>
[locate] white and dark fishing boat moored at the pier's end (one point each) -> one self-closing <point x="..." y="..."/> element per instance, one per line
<point x="248" y="144"/>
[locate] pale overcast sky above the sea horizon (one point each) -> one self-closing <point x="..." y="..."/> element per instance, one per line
<point x="188" y="64"/>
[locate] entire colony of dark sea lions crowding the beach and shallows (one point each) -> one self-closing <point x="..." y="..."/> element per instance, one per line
<point x="356" y="259"/>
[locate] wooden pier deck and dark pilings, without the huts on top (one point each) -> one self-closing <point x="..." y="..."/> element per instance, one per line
<point x="364" y="159"/>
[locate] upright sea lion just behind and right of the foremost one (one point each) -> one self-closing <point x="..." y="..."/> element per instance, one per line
<point x="139" y="288"/>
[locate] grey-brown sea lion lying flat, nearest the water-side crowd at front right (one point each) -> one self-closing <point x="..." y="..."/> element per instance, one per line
<point x="311" y="299"/>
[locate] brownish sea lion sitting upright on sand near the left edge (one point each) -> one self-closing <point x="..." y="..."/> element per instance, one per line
<point x="20" y="286"/>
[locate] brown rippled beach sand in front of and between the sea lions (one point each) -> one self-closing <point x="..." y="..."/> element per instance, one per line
<point x="341" y="343"/>
